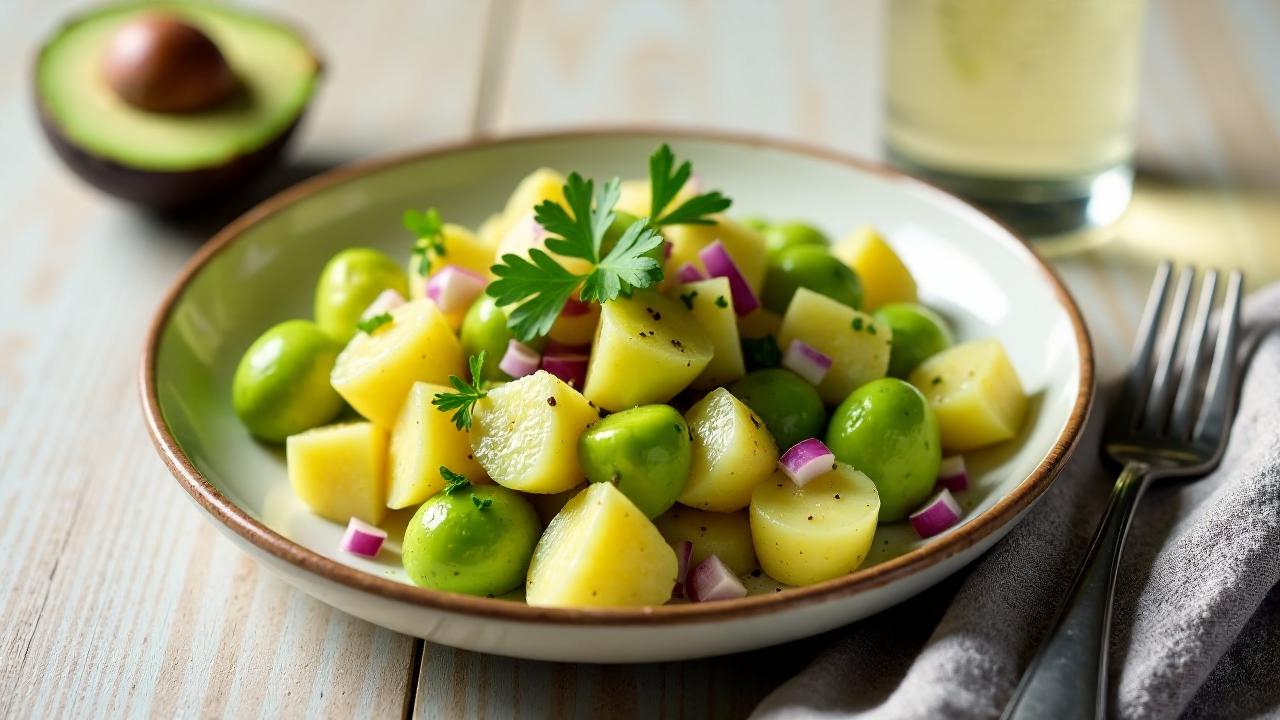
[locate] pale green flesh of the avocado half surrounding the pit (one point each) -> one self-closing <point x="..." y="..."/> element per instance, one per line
<point x="275" y="66"/>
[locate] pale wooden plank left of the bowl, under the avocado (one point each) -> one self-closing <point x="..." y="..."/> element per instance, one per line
<point x="117" y="598"/>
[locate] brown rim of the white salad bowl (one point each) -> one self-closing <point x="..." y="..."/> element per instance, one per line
<point x="877" y="576"/>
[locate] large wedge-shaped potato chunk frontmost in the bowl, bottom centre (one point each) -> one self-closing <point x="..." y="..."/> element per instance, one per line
<point x="601" y="552"/>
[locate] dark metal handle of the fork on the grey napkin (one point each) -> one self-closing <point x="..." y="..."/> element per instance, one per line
<point x="1068" y="677"/>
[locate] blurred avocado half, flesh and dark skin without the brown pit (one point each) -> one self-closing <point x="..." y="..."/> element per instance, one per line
<point x="173" y="160"/>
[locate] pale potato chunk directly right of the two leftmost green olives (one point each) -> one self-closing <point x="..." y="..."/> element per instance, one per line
<point x="376" y="372"/>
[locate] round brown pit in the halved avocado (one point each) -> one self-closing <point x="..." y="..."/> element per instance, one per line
<point x="161" y="65"/>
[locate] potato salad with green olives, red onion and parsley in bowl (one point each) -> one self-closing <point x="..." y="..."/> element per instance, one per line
<point x="615" y="394"/>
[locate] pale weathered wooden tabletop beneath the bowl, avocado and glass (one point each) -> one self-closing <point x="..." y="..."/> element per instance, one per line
<point x="117" y="598"/>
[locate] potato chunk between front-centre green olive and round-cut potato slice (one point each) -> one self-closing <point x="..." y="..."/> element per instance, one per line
<point x="732" y="454"/>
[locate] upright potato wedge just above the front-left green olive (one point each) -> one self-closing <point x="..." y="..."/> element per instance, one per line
<point x="423" y="440"/>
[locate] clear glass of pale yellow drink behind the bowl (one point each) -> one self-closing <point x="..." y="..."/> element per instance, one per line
<point x="1002" y="99"/>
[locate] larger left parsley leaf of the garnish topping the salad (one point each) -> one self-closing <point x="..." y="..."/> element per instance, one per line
<point x="542" y="286"/>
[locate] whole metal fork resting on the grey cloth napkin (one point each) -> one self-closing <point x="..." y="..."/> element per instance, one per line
<point x="1167" y="423"/>
